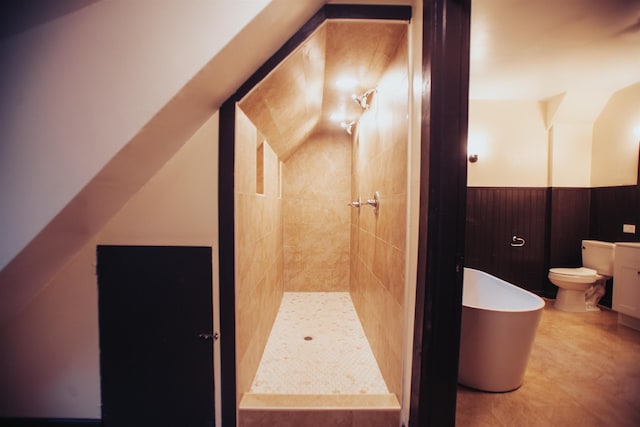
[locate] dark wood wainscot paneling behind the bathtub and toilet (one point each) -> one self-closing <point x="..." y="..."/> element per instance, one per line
<point x="553" y="221"/>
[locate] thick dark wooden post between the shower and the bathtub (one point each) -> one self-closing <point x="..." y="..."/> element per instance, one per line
<point x="443" y="188"/>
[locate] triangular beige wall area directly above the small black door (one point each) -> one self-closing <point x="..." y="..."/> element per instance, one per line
<point x="179" y="205"/>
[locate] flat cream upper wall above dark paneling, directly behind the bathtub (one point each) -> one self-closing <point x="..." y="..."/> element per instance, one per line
<point x="511" y="141"/>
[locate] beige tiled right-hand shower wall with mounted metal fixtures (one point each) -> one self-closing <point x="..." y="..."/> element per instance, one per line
<point x="380" y="164"/>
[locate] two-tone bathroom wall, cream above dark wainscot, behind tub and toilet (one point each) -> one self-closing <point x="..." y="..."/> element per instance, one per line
<point x="551" y="182"/>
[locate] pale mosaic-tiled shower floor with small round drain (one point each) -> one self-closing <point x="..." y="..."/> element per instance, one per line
<point x="317" y="346"/>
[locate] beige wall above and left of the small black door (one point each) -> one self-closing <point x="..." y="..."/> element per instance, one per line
<point x="50" y="358"/>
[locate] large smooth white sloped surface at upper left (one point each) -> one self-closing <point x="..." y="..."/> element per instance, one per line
<point x="76" y="89"/>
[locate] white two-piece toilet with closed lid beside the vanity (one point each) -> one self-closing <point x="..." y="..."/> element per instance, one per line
<point x="580" y="289"/>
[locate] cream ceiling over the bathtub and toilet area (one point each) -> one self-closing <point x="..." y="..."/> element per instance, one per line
<point x="539" y="49"/>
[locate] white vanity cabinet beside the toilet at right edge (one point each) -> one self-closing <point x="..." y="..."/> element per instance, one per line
<point x="626" y="284"/>
